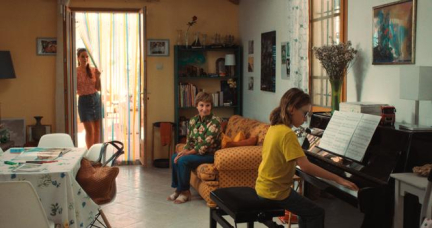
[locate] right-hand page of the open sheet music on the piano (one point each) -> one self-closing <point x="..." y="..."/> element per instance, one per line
<point x="362" y="137"/>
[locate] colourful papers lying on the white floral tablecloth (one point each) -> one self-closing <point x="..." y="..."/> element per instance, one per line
<point x="40" y="154"/>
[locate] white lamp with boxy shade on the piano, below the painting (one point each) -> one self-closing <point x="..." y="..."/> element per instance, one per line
<point x="415" y="84"/>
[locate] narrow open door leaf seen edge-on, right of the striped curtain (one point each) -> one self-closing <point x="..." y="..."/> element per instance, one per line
<point x="143" y="87"/>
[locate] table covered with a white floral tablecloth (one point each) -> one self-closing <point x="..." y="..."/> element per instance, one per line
<point x="63" y="199"/>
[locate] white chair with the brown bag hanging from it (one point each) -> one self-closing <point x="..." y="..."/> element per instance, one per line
<point x="105" y="153"/>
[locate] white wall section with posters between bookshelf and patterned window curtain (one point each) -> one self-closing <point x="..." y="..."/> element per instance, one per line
<point x="256" y="17"/>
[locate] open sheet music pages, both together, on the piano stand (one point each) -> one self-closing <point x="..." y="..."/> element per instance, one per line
<point x="349" y="134"/>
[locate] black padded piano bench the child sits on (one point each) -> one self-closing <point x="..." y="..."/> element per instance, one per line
<point x="244" y="206"/>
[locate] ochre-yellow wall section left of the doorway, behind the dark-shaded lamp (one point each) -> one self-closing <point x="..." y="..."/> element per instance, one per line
<point x="32" y="92"/>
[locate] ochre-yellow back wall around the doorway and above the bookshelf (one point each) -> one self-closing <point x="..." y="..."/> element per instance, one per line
<point x="25" y="20"/>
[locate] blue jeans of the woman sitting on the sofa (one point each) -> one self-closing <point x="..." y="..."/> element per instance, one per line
<point x="181" y="171"/>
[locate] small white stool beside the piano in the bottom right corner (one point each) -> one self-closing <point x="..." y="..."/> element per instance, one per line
<point x="407" y="183"/>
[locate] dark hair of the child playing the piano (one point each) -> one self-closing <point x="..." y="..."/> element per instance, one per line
<point x="294" y="97"/>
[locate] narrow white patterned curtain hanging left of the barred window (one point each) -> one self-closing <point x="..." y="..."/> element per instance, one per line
<point x="298" y="17"/>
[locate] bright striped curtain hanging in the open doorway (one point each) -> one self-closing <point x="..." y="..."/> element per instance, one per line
<point x="112" y="40"/>
